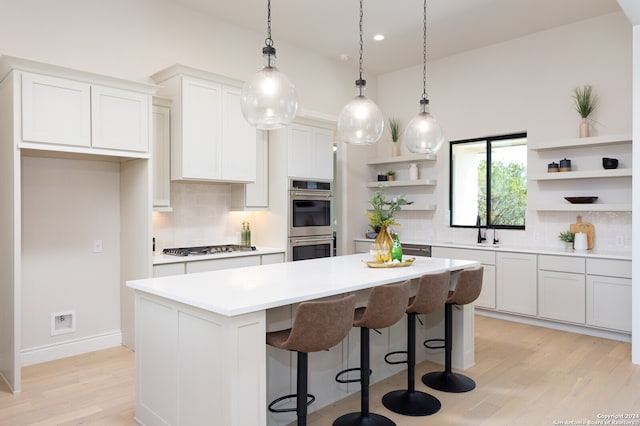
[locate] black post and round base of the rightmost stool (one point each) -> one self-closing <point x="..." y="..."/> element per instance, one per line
<point x="448" y="381"/>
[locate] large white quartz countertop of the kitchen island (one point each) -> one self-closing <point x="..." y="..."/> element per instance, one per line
<point x="238" y="291"/>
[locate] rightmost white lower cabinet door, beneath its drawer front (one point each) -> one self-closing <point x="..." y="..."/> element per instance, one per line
<point x="609" y="302"/>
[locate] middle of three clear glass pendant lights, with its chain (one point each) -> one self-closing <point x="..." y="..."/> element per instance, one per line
<point x="360" y="121"/>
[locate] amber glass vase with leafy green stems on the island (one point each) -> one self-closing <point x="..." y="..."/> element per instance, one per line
<point x="380" y="218"/>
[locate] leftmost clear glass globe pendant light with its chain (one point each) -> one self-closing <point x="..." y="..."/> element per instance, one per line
<point x="269" y="99"/>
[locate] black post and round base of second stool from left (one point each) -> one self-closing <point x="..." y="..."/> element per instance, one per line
<point x="364" y="417"/>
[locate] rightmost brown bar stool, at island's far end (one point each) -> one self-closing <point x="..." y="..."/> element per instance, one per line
<point x="468" y="287"/>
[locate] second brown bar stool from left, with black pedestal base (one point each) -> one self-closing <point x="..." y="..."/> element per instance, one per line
<point x="385" y="307"/>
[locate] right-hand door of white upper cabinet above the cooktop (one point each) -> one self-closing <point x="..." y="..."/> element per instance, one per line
<point x="238" y="142"/>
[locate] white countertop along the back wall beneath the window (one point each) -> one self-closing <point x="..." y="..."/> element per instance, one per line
<point x="595" y="253"/>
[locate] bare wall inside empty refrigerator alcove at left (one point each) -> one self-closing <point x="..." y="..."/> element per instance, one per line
<point x="68" y="204"/>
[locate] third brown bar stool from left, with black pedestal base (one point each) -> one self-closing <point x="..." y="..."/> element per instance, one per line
<point x="431" y="295"/>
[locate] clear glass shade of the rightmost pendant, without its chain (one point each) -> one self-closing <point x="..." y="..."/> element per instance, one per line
<point x="423" y="134"/>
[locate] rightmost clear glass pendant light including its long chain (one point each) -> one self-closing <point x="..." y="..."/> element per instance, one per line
<point x="423" y="134"/>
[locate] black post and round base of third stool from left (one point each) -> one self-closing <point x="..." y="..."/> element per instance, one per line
<point x="411" y="402"/>
